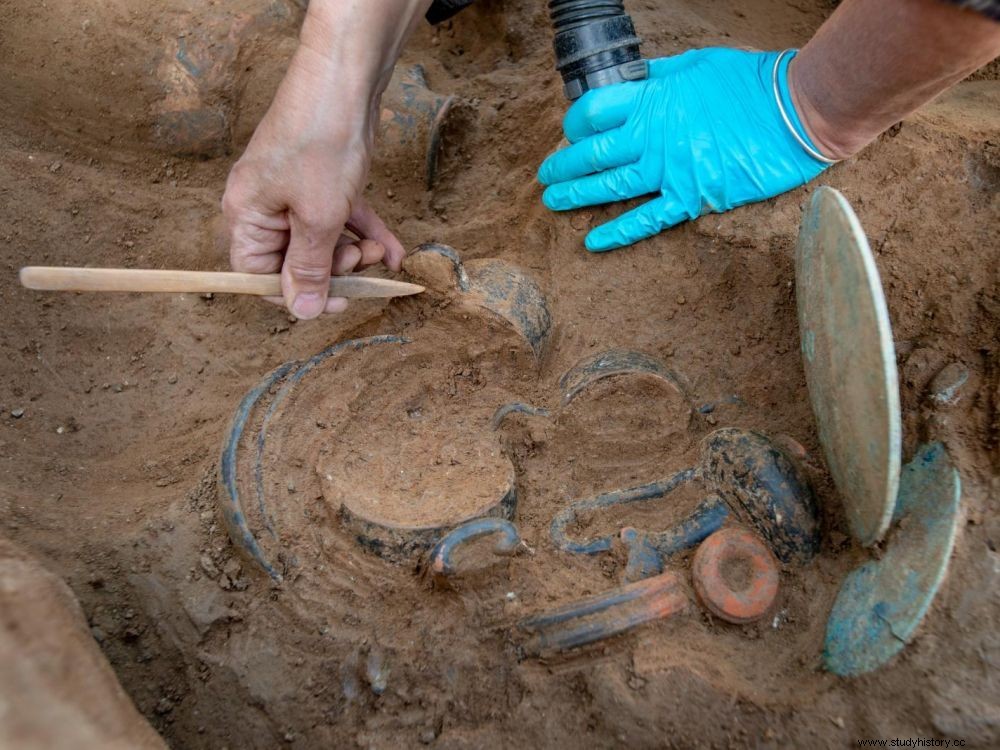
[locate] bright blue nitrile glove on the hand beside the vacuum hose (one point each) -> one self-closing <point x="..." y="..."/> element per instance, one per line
<point x="704" y="131"/>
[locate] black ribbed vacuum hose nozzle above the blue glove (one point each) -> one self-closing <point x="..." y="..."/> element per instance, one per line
<point x="595" y="45"/>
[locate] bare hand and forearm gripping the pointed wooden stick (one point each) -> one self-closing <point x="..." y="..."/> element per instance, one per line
<point x="299" y="183"/>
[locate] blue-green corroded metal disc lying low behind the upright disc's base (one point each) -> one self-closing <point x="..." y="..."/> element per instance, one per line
<point x="881" y="604"/>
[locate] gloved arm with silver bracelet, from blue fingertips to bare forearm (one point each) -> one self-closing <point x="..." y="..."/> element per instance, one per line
<point x="707" y="132"/>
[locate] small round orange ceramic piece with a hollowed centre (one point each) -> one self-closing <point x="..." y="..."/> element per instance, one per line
<point x="735" y="575"/>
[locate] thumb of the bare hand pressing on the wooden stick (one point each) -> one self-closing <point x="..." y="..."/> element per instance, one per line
<point x="305" y="274"/>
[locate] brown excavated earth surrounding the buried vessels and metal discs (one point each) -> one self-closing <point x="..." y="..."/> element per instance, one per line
<point x="110" y="472"/>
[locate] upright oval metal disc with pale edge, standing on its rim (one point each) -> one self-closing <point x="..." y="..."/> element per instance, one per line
<point x="849" y="361"/>
